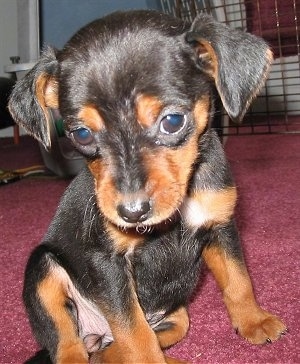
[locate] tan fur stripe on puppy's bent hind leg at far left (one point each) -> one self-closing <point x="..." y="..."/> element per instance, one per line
<point x="52" y="293"/>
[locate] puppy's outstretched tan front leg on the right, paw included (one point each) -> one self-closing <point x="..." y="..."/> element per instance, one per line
<point x="224" y="258"/>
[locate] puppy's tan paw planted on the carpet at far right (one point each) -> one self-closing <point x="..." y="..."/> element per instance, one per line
<point x="261" y="327"/>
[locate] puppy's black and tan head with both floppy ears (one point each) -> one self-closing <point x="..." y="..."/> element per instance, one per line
<point x="135" y="91"/>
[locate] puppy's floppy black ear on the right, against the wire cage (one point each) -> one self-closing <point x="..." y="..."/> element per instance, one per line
<point x="237" y="61"/>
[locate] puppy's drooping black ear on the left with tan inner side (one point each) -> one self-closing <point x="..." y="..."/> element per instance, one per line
<point x="34" y="94"/>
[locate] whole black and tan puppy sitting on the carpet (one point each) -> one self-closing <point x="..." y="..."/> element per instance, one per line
<point x="112" y="279"/>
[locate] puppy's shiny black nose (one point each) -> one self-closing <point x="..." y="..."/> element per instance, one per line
<point x="135" y="210"/>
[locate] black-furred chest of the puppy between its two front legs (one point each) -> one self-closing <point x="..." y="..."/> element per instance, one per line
<point x="165" y="271"/>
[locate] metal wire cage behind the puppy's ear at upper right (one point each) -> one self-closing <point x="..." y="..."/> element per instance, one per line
<point x="277" y="108"/>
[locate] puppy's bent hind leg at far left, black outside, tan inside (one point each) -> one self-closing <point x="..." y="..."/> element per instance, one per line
<point x="47" y="303"/>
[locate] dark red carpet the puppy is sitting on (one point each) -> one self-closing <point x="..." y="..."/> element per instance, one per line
<point x="267" y="173"/>
